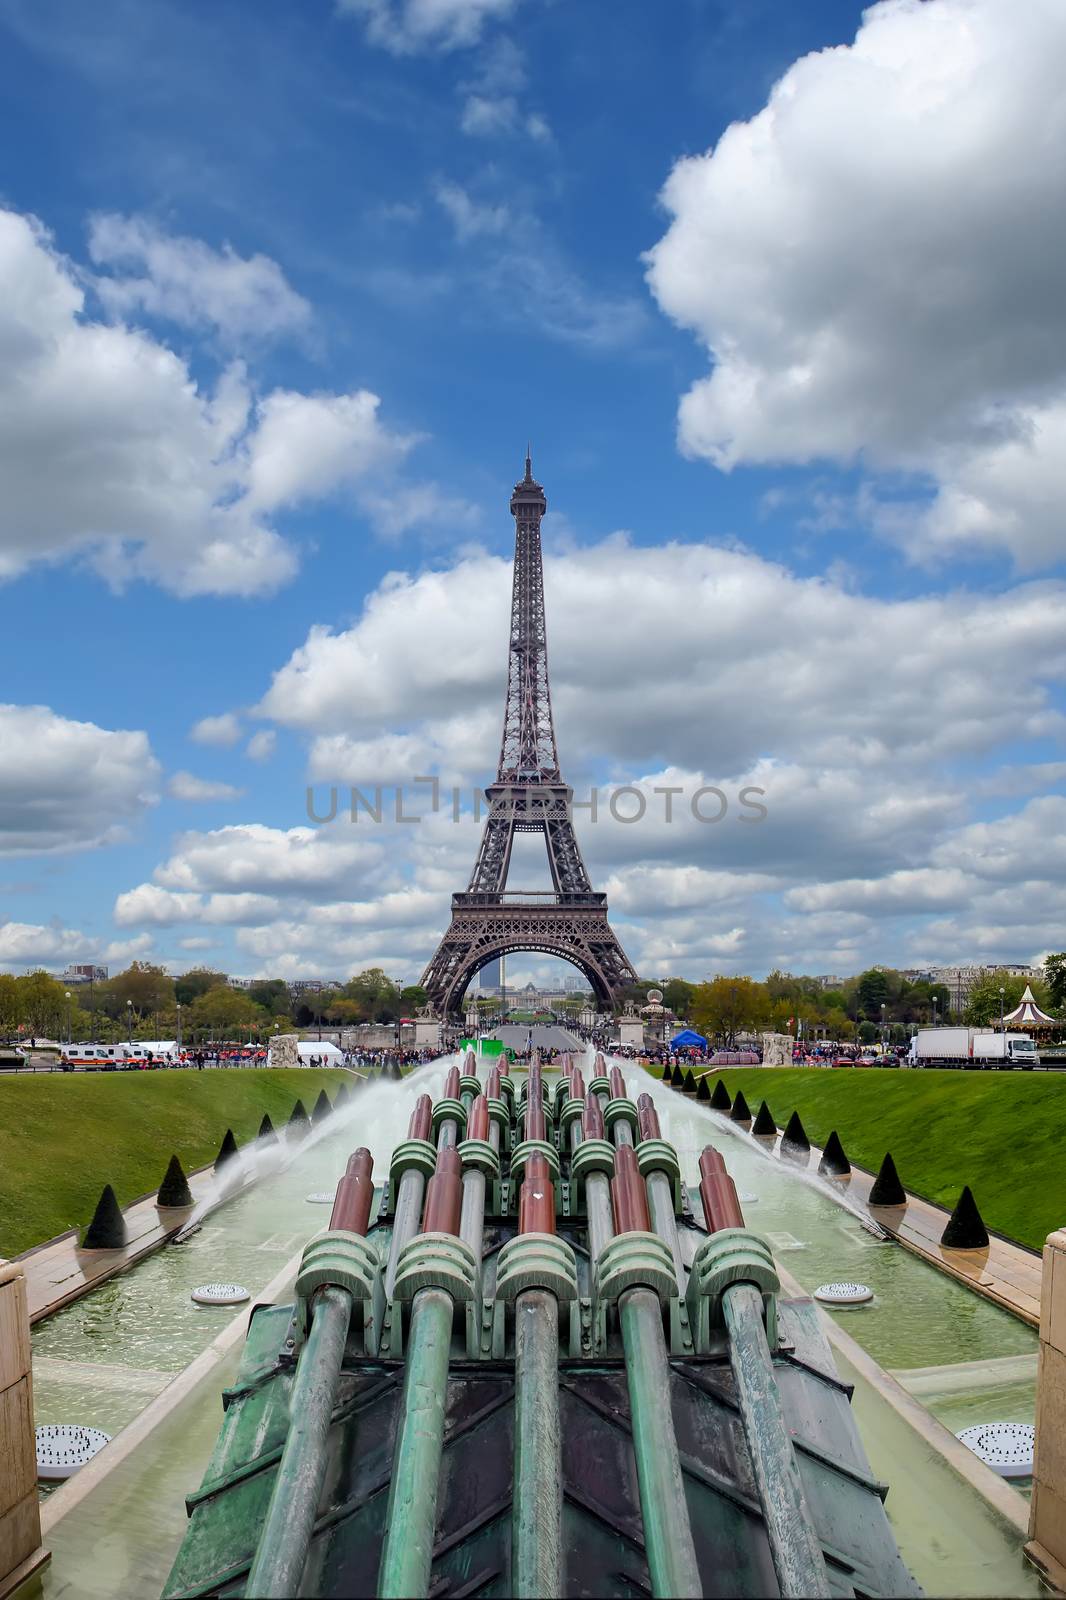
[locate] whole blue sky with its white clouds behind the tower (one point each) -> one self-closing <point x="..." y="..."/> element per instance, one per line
<point x="774" y="294"/>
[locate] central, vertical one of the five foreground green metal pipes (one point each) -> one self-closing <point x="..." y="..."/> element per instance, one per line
<point x="537" y="1495"/>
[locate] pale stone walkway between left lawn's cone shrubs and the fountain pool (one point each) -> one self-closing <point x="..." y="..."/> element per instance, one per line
<point x="60" y="1273"/>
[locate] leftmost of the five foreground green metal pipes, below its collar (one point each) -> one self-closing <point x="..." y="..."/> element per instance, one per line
<point x="283" y="1553"/>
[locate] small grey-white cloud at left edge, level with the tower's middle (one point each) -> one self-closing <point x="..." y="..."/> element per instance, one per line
<point x="70" y="785"/>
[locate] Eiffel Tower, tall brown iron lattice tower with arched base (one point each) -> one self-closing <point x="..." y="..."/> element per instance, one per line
<point x="529" y="798"/>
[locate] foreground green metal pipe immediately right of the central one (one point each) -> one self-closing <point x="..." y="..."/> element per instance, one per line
<point x="663" y="1506"/>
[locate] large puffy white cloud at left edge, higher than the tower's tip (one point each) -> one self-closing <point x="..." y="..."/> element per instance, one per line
<point x="111" y="452"/>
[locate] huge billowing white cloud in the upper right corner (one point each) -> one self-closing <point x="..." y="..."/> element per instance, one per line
<point x="873" y="265"/>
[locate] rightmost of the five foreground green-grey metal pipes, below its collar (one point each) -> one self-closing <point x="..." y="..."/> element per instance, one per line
<point x="795" y="1546"/>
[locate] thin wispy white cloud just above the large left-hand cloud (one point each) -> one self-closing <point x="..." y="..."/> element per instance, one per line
<point x="186" y="282"/>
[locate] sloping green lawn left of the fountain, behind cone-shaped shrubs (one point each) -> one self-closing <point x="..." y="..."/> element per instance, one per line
<point x="63" y="1137"/>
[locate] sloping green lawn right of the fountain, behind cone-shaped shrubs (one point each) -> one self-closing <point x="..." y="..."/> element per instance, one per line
<point x="1004" y="1134"/>
